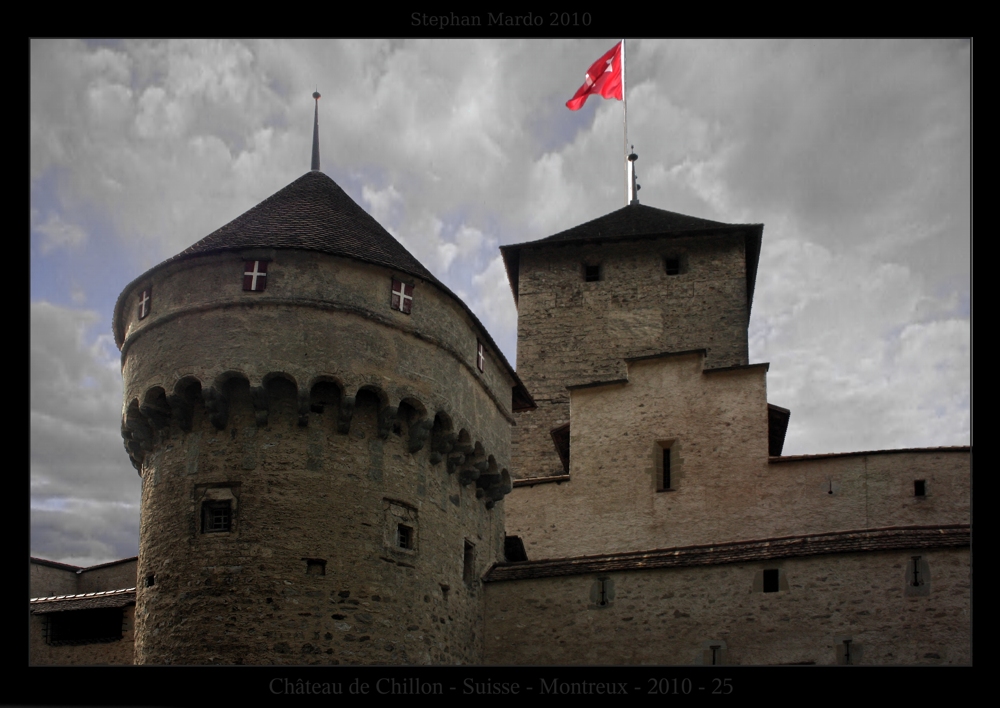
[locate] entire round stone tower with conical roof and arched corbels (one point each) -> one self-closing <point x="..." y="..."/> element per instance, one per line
<point x="322" y="429"/>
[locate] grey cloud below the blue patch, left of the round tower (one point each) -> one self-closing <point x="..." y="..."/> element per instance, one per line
<point x="84" y="491"/>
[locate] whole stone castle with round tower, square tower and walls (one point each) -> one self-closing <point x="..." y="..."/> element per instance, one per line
<point x="339" y="466"/>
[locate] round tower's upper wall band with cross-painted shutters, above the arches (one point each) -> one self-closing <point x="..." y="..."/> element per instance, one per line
<point x="319" y="316"/>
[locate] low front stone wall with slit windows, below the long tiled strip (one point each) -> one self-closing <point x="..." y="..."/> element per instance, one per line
<point x="670" y="616"/>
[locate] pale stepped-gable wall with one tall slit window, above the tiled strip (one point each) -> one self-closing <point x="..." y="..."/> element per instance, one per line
<point x="723" y="486"/>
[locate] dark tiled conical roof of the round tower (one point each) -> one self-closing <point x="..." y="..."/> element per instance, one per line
<point x="314" y="214"/>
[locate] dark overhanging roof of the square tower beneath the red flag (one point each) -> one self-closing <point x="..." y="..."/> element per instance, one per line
<point x="636" y="222"/>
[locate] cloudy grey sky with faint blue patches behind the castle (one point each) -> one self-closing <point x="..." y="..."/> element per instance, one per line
<point x="855" y="155"/>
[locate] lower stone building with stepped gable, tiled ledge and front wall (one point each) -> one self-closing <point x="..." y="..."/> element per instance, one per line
<point x="682" y="536"/>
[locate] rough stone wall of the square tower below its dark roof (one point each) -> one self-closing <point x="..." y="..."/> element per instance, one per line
<point x="572" y="332"/>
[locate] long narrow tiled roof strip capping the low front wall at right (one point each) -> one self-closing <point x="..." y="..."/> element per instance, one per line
<point x="882" y="539"/>
